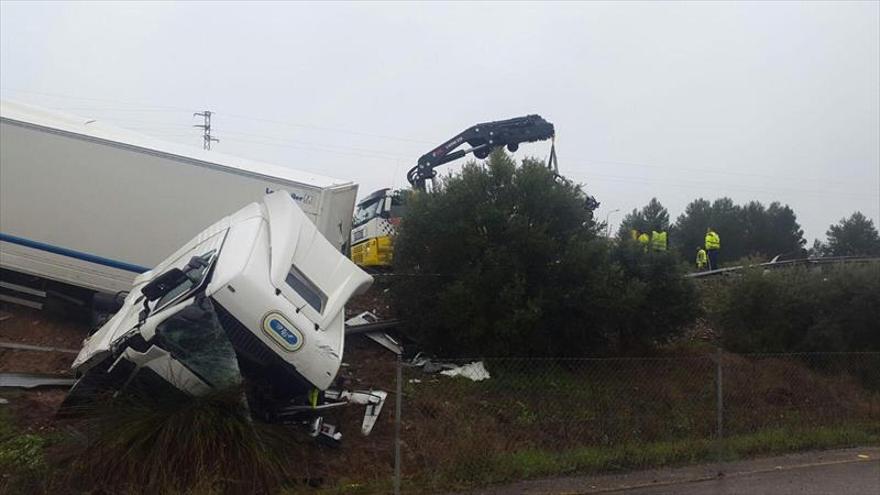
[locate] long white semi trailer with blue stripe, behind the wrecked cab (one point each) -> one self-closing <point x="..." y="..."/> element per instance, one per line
<point x="89" y="206"/>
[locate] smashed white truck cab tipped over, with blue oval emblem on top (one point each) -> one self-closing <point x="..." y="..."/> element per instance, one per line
<point x="255" y="300"/>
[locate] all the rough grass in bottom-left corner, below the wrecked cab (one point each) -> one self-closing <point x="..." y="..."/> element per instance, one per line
<point x="130" y="445"/>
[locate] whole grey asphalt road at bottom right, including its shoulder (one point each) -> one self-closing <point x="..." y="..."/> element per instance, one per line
<point x="853" y="471"/>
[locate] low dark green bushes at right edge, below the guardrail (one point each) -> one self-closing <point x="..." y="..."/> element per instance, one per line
<point x="801" y="310"/>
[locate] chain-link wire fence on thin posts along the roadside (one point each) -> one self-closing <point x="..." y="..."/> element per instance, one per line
<point x="549" y="417"/>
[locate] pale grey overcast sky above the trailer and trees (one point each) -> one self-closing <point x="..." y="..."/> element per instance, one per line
<point x="755" y="101"/>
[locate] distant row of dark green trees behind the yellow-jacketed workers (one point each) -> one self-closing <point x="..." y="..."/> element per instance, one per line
<point x="751" y="230"/>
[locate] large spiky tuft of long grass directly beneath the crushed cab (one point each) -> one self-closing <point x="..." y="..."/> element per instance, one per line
<point x="136" y="444"/>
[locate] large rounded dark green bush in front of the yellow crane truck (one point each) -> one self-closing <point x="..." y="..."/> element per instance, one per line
<point x="507" y="261"/>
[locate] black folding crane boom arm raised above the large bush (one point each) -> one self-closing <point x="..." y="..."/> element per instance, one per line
<point x="482" y="139"/>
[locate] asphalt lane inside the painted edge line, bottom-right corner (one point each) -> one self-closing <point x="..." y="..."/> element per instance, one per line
<point x="854" y="478"/>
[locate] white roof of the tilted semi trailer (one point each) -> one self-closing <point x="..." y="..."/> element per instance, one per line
<point x="93" y="129"/>
